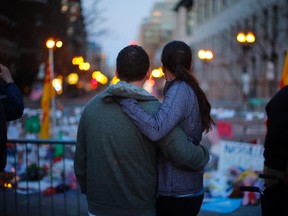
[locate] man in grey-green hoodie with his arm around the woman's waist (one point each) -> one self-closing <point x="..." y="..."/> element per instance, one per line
<point x="115" y="164"/>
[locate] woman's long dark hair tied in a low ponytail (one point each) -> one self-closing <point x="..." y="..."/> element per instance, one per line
<point x="177" y="58"/>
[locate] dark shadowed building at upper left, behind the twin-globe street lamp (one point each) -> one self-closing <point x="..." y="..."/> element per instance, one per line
<point x="27" y="24"/>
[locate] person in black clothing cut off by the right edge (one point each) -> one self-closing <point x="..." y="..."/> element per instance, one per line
<point x="275" y="200"/>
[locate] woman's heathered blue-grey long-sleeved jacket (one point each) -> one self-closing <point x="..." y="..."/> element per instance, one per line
<point x="180" y="107"/>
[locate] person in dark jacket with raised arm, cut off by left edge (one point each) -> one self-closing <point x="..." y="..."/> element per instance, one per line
<point x="11" y="108"/>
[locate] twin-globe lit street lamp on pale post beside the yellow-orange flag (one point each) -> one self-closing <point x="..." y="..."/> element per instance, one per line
<point x="50" y="44"/>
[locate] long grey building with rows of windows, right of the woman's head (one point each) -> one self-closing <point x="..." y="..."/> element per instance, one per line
<point x="239" y="72"/>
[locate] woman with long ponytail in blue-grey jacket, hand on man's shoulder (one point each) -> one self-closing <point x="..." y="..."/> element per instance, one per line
<point x="180" y="192"/>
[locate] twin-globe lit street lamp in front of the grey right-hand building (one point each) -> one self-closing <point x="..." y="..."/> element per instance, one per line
<point x="246" y="41"/>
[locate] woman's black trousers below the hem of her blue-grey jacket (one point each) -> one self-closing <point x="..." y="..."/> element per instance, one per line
<point x="179" y="206"/>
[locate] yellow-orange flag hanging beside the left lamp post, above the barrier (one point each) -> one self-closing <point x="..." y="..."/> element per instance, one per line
<point x="48" y="93"/>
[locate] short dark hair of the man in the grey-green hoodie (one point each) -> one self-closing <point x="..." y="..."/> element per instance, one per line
<point x="132" y="63"/>
